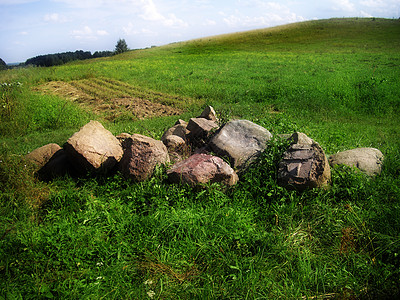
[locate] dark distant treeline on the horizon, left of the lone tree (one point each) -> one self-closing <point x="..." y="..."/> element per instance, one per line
<point x="56" y="59"/>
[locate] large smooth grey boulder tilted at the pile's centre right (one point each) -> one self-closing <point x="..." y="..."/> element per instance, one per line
<point x="241" y="141"/>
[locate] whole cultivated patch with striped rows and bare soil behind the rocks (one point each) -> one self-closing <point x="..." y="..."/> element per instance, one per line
<point x="111" y="99"/>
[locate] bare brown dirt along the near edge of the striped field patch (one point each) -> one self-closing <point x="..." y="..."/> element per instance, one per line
<point x="110" y="109"/>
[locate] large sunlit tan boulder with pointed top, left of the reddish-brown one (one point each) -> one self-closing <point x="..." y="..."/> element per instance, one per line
<point x="93" y="148"/>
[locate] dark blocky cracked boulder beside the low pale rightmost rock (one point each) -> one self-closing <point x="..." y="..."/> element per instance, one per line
<point x="304" y="166"/>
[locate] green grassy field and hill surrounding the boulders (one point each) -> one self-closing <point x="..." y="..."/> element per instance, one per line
<point x="336" y="80"/>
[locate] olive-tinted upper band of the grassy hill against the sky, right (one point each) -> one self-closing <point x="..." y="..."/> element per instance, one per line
<point x="338" y="34"/>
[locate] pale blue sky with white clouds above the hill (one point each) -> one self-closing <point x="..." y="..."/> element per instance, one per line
<point x="29" y="28"/>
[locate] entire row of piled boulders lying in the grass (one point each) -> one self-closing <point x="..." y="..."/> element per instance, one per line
<point x="185" y="149"/>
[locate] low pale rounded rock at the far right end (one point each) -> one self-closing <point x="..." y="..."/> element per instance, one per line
<point x="368" y="160"/>
